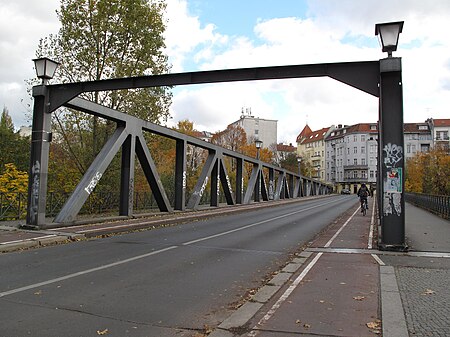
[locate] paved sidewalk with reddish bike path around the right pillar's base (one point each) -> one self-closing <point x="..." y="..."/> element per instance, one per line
<point x="339" y="286"/>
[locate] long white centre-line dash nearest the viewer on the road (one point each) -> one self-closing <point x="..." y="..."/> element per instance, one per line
<point x="84" y="272"/>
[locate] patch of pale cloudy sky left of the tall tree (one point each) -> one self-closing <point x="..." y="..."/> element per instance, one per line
<point x="23" y="23"/>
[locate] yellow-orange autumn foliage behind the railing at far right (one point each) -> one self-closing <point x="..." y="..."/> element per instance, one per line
<point x="428" y="172"/>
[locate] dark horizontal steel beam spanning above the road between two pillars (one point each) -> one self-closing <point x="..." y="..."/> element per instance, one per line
<point x="361" y="75"/>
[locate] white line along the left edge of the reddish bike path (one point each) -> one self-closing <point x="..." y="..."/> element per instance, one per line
<point x="296" y="282"/>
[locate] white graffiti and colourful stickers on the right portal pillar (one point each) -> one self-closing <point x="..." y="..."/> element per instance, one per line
<point x="393" y="181"/>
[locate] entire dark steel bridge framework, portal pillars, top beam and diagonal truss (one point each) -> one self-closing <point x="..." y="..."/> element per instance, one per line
<point x="378" y="78"/>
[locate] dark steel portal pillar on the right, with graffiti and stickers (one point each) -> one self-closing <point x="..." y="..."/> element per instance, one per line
<point x="392" y="156"/>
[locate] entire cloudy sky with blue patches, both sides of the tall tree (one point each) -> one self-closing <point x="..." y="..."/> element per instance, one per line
<point x="218" y="34"/>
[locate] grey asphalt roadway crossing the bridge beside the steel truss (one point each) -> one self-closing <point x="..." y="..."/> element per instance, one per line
<point x="172" y="281"/>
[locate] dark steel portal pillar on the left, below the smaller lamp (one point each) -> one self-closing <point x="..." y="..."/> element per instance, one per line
<point x="40" y="146"/>
